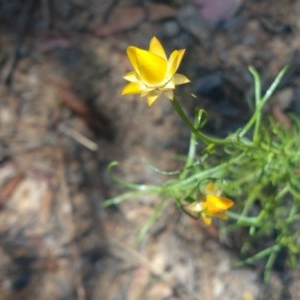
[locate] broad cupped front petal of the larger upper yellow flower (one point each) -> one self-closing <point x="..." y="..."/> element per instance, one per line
<point x="150" y="67"/>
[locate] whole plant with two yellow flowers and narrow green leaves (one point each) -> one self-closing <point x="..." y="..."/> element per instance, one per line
<point x="258" y="165"/>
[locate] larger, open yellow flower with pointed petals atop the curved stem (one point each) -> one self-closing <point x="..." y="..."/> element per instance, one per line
<point x="154" y="74"/>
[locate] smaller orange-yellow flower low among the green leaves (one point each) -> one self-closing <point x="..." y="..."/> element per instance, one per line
<point x="211" y="205"/>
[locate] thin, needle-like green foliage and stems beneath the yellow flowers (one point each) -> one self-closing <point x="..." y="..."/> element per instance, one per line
<point x="258" y="167"/>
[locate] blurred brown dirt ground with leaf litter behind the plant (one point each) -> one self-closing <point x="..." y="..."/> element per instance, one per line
<point x="63" y="120"/>
